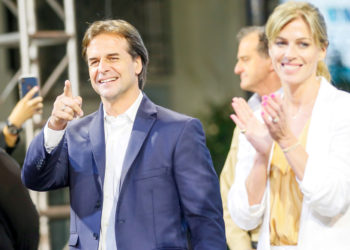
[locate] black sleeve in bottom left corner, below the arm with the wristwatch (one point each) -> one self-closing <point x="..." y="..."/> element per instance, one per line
<point x="17" y="206"/>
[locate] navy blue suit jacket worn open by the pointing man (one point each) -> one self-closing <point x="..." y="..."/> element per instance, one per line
<point x="169" y="186"/>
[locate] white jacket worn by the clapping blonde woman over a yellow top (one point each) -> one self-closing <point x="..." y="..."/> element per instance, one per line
<point x="325" y="217"/>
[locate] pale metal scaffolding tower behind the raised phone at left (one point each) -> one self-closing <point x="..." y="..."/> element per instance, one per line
<point x="29" y="40"/>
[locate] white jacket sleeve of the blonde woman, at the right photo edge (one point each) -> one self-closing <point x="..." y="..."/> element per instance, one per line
<point x="326" y="183"/>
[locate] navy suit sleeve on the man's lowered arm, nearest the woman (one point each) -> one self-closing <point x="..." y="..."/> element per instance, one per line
<point x="199" y="189"/>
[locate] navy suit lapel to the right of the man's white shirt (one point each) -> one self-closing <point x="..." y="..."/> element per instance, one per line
<point x="144" y="120"/>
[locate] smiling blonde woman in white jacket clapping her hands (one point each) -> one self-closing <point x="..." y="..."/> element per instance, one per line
<point x="293" y="171"/>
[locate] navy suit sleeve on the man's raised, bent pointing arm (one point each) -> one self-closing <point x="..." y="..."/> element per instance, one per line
<point x="44" y="171"/>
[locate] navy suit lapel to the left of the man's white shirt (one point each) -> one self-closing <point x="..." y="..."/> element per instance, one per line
<point x="97" y="138"/>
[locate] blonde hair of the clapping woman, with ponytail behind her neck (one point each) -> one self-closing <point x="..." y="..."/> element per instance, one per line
<point x="287" y="12"/>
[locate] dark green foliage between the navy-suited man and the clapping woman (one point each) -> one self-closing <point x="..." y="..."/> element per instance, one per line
<point x="218" y="128"/>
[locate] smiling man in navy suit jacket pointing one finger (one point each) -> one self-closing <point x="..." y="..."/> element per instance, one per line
<point x="140" y="176"/>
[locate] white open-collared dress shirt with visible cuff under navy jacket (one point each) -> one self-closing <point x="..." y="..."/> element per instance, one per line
<point x="117" y="135"/>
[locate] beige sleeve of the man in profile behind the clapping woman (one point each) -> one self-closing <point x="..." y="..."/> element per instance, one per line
<point x="237" y="238"/>
